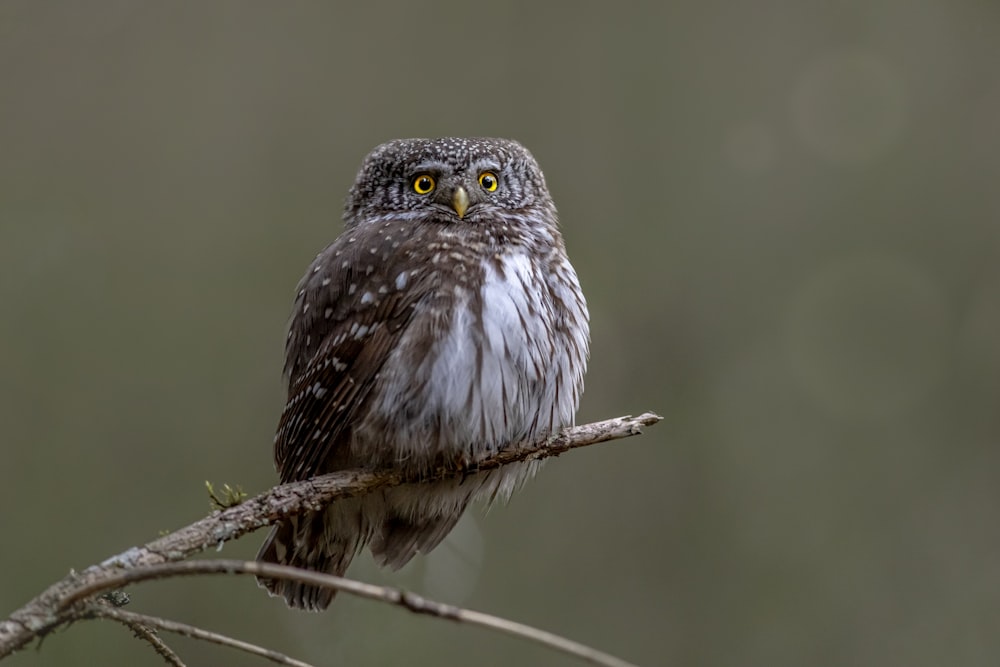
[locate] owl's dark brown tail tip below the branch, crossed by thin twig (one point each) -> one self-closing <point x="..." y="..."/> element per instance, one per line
<point x="314" y="541"/>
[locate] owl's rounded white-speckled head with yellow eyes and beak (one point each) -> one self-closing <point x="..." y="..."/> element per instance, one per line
<point x="448" y="180"/>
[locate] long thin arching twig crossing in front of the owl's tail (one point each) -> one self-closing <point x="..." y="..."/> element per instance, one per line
<point x="410" y="601"/>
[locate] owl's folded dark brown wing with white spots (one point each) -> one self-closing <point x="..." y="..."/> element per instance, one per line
<point x="349" y="316"/>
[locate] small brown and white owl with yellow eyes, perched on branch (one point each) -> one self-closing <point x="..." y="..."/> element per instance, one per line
<point x="443" y="325"/>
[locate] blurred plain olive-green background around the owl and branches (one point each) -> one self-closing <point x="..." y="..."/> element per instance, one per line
<point x="784" y="215"/>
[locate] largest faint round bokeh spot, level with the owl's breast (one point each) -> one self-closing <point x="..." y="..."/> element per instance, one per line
<point x="866" y="335"/>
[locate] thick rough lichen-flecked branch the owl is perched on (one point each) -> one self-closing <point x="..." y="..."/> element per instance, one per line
<point x="48" y="611"/>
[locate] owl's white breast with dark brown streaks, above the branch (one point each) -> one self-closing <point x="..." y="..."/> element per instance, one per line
<point x="484" y="363"/>
